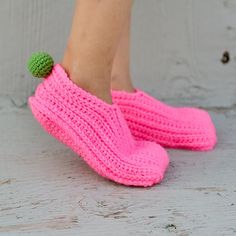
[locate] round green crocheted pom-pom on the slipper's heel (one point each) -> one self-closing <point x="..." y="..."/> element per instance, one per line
<point x="40" y="64"/>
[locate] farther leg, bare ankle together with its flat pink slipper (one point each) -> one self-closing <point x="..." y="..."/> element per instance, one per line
<point x="150" y="119"/>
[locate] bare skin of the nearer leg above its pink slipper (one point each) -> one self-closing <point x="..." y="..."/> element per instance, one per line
<point x="96" y="33"/>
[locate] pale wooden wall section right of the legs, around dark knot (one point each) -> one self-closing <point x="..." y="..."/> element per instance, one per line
<point x="184" y="42"/>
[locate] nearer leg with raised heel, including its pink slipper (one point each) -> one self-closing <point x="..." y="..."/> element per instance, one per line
<point x="94" y="129"/>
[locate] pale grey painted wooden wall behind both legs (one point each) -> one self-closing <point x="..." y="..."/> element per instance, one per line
<point x="177" y="47"/>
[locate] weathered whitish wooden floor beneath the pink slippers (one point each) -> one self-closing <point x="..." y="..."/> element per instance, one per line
<point x="45" y="189"/>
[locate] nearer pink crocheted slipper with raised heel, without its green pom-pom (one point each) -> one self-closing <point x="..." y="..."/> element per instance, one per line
<point x="96" y="131"/>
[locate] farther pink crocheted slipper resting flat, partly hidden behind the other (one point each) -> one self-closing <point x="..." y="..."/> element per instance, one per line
<point x="150" y="119"/>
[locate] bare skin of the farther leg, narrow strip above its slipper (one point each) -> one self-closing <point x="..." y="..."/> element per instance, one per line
<point x="121" y="79"/>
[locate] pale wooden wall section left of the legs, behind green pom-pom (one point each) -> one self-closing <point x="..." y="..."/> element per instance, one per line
<point x="27" y="26"/>
